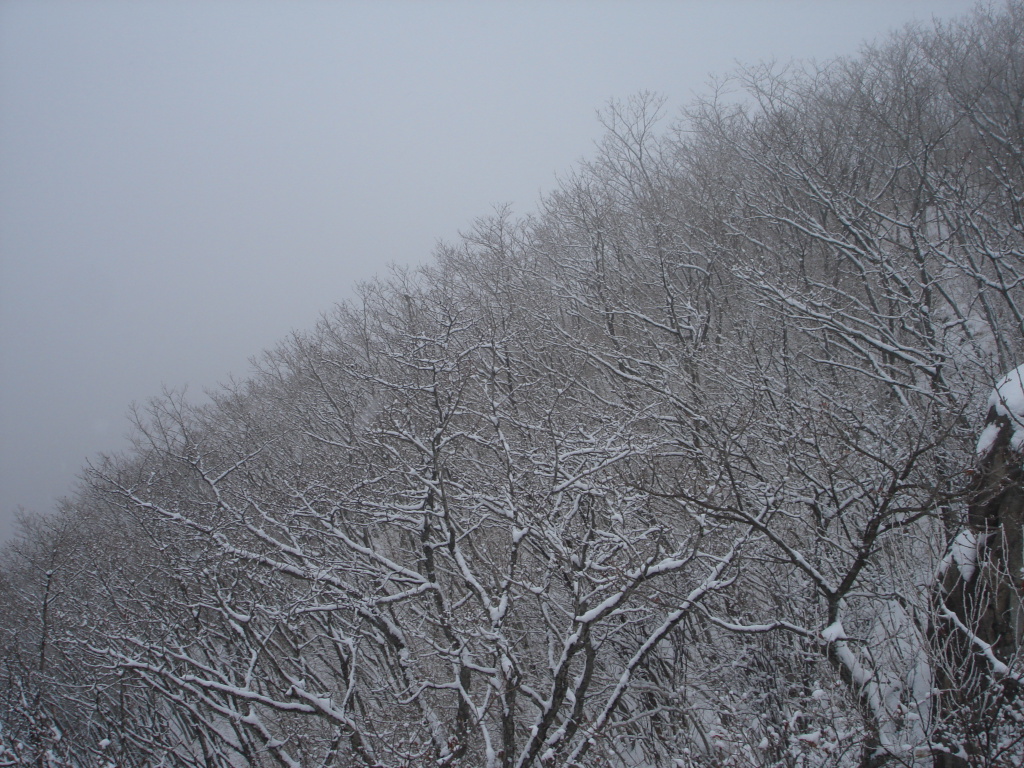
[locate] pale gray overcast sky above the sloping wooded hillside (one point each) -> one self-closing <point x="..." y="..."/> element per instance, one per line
<point x="184" y="184"/>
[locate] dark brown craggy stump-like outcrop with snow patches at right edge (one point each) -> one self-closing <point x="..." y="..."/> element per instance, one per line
<point x="979" y="623"/>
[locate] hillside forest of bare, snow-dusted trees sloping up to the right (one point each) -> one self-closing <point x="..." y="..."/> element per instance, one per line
<point x="684" y="471"/>
